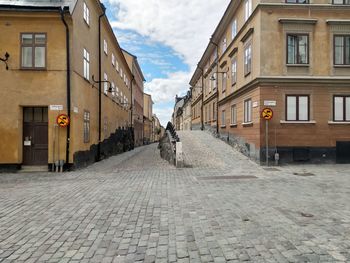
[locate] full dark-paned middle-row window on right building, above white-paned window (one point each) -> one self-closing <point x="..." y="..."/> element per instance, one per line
<point x="297" y="49"/>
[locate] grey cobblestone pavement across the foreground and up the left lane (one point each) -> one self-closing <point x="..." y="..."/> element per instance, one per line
<point x="135" y="207"/>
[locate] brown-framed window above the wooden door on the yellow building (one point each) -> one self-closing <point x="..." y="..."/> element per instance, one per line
<point x="33" y="48"/>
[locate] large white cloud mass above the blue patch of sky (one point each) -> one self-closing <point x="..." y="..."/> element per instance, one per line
<point x="184" y="25"/>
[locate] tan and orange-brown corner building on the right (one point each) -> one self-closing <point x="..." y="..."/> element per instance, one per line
<point x="292" y="57"/>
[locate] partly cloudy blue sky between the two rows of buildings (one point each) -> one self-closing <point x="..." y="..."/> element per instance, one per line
<point x="168" y="37"/>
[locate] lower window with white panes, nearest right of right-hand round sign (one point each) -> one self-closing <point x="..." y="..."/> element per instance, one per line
<point x="297" y="108"/>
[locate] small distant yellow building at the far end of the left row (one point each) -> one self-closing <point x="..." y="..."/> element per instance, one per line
<point x="147" y="118"/>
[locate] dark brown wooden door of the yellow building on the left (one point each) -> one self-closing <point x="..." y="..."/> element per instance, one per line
<point x="35" y="136"/>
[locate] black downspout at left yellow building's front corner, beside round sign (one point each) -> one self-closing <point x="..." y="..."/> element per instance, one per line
<point x="68" y="84"/>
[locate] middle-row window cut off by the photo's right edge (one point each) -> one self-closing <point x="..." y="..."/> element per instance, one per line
<point x="342" y="50"/>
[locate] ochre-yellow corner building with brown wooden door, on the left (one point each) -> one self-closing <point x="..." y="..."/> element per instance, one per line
<point x="63" y="59"/>
